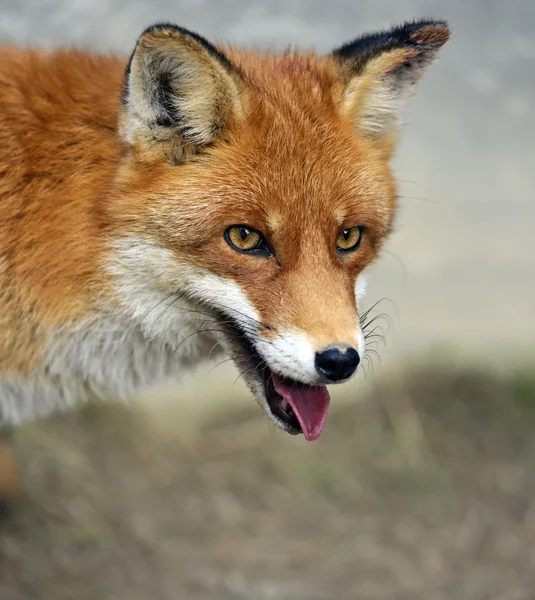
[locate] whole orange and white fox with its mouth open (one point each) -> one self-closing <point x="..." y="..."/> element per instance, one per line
<point x="193" y="201"/>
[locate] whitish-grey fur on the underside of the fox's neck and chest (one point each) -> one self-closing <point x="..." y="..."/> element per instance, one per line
<point x="113" y="358"/>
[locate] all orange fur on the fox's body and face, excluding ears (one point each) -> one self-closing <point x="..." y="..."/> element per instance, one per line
<point x="58" y="142"/>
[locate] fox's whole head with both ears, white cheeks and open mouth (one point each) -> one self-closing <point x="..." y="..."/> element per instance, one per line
<point x="256" y="189"/>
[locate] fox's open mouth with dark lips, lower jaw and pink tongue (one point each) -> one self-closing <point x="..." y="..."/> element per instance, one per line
<point x="294" y="406"/>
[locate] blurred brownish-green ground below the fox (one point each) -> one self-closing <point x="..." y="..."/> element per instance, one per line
<point x="424" y="491"/>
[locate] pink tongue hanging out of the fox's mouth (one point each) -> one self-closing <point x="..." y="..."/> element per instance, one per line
<point x="310" y="404"/>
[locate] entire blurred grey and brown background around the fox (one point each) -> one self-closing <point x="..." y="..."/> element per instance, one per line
<point x="422" y="484"/>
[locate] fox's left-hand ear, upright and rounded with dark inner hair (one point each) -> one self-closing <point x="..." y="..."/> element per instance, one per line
<point x="180" y="93"/>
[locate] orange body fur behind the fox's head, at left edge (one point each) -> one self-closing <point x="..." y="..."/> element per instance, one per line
<point x="58" y="158"/>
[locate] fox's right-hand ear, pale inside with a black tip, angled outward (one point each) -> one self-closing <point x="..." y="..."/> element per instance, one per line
<point x="380" y="70"/>
